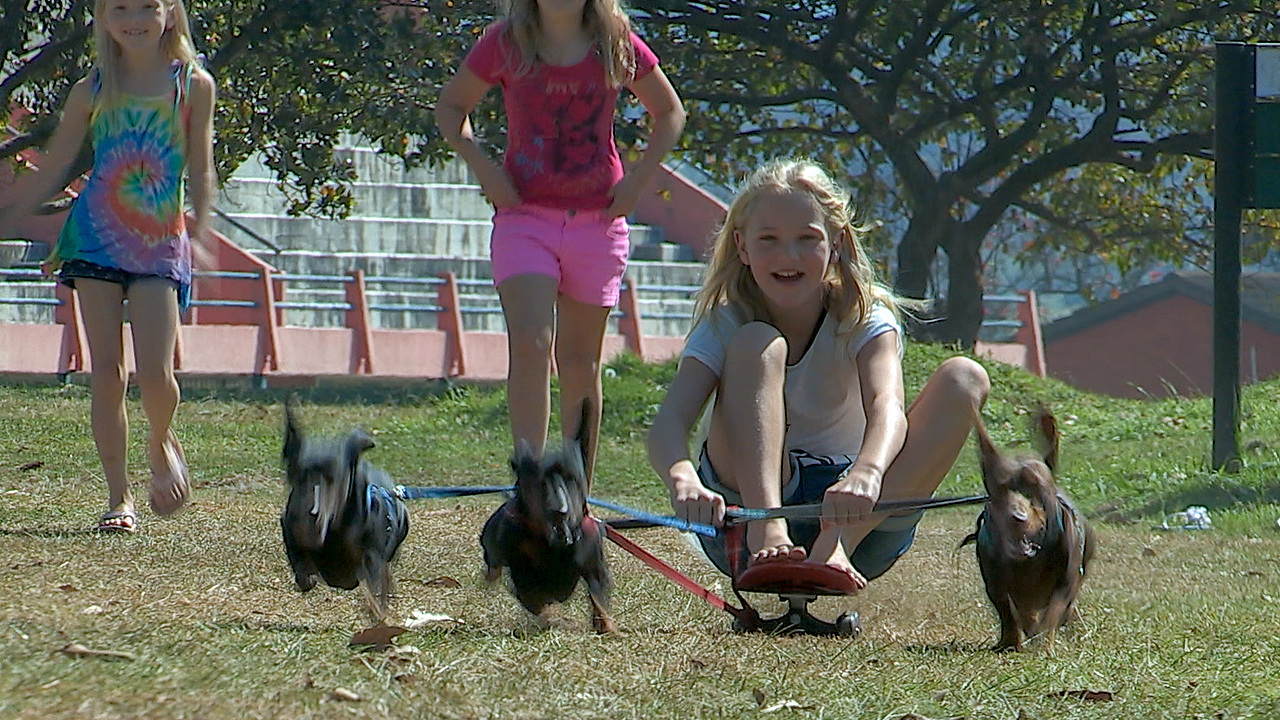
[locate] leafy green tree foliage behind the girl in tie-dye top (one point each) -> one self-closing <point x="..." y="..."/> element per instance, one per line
<point x="292" y="78"/>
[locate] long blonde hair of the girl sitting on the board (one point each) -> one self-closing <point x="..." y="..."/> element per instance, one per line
<point x="853" y="284"/>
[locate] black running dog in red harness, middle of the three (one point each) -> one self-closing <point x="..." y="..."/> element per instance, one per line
<point x="545" y="536"/>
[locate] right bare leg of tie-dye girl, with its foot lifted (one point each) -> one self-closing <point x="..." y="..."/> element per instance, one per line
<point x="154" y="321"/>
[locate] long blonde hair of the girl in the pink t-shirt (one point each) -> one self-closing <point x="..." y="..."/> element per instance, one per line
<point x="605" y="22"/>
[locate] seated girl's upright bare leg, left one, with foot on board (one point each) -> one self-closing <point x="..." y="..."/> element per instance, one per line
<point x="747" y="436"/>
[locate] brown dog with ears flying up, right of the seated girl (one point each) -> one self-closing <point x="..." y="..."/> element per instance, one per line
<point x="1034" y="545"/>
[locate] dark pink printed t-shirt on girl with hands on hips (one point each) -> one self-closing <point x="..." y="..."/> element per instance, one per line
<point x="560" y="138"/>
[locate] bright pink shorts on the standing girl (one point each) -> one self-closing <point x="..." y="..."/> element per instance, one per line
<point x="584" y="250"/>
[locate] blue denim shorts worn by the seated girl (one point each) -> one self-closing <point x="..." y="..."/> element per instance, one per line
<point x="811" y="477"/>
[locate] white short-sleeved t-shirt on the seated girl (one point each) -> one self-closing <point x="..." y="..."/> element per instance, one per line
<point x="822" y="394"/>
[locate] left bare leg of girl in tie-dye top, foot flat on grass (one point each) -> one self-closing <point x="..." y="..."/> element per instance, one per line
<point x="103" y="313"/>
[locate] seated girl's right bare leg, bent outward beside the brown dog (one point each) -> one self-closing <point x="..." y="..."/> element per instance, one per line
<point x="939" y="423"/>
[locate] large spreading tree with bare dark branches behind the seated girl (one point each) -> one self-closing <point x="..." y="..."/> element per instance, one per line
<point x="1090" y="117"/>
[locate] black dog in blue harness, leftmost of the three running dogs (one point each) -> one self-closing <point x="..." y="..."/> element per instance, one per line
<point x="342" y="522"/>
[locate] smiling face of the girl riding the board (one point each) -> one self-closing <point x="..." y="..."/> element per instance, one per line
<point x="788" y="247"/>
